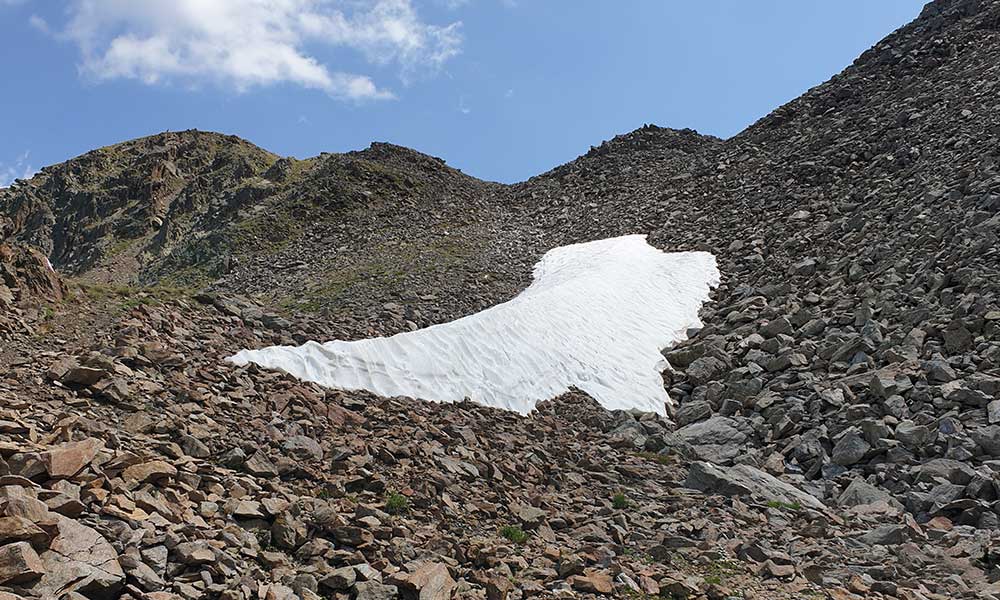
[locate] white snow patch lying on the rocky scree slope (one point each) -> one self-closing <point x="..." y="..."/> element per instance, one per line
<point x="596" y="316"/>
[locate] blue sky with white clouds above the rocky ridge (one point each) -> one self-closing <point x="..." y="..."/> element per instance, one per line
<point x="502" y="89"/>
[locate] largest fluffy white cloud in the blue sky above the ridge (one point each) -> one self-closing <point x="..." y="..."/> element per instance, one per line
<point x="251" y="43"/>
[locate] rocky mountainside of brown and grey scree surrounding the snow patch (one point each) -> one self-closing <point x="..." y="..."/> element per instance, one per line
<point x="837" y="423"/>
